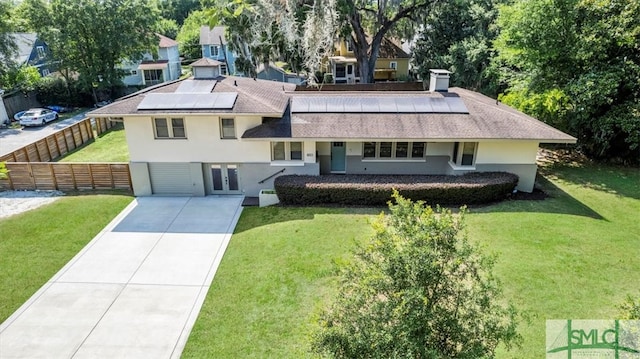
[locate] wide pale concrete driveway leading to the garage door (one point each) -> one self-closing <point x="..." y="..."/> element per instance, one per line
<point x="135" y="290"/>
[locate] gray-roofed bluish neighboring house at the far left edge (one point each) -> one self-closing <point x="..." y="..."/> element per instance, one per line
<point x="31" y="51"/>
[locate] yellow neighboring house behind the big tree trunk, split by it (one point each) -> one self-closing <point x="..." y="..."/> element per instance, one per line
<point x="392" y="63"/>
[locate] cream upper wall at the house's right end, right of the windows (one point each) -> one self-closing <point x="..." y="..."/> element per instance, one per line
<point x="512" y="152"/>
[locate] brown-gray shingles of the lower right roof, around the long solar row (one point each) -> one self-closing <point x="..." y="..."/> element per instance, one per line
<point x="486" y="120"/>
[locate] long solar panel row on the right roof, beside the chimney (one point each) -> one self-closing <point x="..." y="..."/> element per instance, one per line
<point x="377" y="104"/>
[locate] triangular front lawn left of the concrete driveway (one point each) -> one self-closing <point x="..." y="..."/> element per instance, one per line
<point x="36" y="244"/>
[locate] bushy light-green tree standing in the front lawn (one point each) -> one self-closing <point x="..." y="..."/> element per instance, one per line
<point x="417" y="289"/>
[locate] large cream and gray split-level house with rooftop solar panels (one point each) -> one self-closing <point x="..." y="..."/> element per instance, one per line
<point x="233" y="135"/>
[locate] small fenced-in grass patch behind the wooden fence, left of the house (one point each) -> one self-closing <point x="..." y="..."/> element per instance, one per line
<point x="110" y="147"/>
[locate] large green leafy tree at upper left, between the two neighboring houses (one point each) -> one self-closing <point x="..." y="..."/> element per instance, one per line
<point x="92" y="37"/>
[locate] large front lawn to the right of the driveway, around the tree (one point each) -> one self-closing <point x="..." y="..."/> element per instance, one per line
<point x="571" y="256"/>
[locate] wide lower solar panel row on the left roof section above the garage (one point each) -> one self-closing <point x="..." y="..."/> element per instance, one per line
<point x="189" y="101"/>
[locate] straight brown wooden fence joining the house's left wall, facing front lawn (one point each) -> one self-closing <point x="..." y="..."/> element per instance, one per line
<point x="66" y="176"/>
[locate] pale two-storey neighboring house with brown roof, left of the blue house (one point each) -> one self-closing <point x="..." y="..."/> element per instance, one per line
<point x="150" y="71"/>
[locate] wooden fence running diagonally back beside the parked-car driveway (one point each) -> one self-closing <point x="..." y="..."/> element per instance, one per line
<point x="59" y="143"/>
